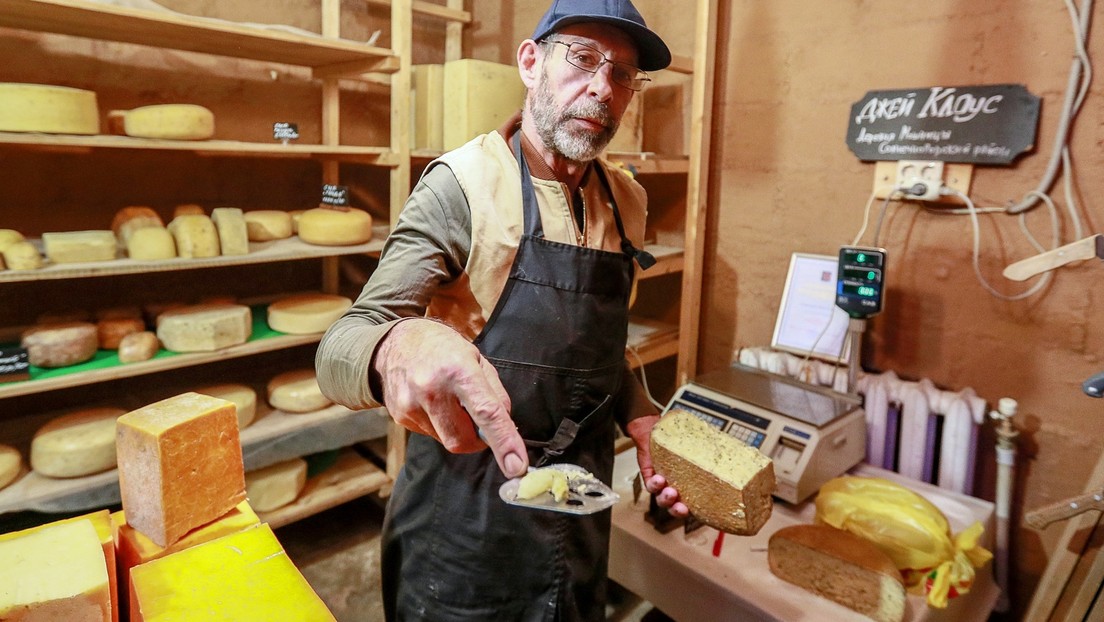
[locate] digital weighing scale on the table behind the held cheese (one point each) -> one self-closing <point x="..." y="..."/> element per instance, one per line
<point x="812" y="434"/>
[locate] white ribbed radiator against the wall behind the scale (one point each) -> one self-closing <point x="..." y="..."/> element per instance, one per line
<point x="914" y="428"/>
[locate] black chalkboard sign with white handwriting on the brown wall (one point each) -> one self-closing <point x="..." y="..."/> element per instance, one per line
<point x="984" y="125"/>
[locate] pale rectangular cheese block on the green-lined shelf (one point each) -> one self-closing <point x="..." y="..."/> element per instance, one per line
<point x="205" y="329"/>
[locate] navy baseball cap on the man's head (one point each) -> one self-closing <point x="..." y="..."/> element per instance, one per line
<point x="654" y="54"/>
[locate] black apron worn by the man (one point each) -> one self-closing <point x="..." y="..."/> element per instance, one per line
<point x="452" y="549"/>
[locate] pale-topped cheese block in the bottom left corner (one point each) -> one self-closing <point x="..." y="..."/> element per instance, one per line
<point x="56" y="573"/>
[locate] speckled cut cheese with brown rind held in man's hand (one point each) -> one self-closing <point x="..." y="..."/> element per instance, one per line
<point x="725" y="483"/>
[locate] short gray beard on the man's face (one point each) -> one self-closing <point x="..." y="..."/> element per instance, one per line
<point x="553" y="125"/>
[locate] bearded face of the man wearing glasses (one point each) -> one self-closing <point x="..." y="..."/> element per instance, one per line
<point x="578" y="113"/>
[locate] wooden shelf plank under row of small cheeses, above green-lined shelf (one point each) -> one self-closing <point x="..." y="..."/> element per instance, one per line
<point x="292" y="249"/>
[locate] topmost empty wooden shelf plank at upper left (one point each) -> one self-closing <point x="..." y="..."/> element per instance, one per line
<point x="108" y="23"/>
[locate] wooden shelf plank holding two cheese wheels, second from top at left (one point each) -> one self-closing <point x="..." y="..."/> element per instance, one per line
<point x="380" y="156"/>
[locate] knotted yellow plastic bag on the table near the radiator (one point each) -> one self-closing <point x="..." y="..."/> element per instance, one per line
<point x="911" y="531"/>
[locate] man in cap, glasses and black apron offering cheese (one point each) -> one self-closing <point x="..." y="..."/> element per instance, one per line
<point x="497" y="319"/>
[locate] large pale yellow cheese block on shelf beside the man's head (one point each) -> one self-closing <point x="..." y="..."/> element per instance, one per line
<point x="482" y="97"/>
